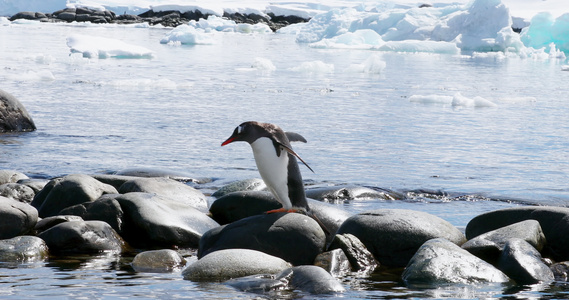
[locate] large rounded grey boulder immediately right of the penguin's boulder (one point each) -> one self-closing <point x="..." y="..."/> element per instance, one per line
<point x="394" y="235"/>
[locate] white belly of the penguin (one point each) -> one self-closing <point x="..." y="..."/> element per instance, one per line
<point x="273" y="169"/>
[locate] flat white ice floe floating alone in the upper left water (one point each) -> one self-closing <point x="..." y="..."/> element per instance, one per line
<point x="101" y="47"/>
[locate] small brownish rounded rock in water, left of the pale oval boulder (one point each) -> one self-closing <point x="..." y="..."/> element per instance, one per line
<point x="158" y="261"/>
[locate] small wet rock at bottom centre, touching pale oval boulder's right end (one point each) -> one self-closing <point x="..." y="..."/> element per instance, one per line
<point x="311" y="279"/>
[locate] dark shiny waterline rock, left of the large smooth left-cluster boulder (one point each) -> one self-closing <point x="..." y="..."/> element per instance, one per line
<point x="82" y="237"/>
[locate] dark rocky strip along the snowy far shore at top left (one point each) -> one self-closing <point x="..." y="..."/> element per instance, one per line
<point x="170" y="18"/>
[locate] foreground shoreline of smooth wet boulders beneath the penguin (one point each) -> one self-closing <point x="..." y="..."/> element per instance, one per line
<point x="154" y="213"/>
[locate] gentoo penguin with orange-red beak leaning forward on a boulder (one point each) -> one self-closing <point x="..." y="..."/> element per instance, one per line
<point x="276" y="162"/>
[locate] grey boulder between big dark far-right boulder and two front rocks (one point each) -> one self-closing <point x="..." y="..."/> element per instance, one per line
<point x="489" y="246"/>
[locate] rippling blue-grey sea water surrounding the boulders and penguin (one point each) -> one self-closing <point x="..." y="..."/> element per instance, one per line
<point x="413" y="123"/>
